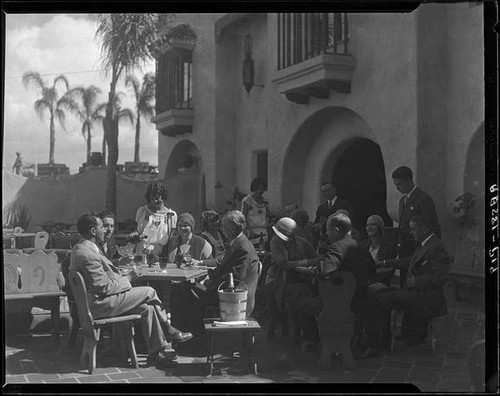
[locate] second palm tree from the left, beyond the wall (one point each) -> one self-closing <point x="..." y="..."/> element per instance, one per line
<point x="83" y="103"/>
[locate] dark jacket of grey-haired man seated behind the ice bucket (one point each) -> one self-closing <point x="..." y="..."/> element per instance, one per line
<point x="242" y="260"/>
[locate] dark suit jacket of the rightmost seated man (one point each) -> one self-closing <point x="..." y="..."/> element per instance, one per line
<point x="429" y="265"/>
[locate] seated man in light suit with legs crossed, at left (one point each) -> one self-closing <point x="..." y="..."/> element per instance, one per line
<point x="111" y="294"/>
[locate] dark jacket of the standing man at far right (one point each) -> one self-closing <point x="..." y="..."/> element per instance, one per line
<point x="419" y="203"/>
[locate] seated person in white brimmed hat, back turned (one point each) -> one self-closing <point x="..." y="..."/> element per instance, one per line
<point x="288" y="252"/>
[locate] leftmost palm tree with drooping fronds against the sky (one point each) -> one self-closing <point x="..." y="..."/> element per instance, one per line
<point x="50" y="101"/>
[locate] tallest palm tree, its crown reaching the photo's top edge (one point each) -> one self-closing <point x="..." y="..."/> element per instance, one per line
<point x="127" y="41"/>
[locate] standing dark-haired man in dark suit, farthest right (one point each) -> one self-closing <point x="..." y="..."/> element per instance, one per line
<point x="413" y="202"/>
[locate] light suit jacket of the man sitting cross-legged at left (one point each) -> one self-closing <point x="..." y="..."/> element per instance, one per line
<point x="101" y="277"/>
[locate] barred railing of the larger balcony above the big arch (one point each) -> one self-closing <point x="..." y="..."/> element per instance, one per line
<point x="306" y="35"/>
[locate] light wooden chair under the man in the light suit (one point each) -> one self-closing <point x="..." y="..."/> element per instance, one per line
<point x="91" y="327"/>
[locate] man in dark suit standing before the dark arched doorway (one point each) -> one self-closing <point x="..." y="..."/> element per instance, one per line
<point x="329" y="207"/>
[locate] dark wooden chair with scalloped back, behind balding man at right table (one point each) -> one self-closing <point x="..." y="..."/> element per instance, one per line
<point x="336" y="320"/>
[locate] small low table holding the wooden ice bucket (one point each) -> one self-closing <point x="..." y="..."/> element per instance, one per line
<point x="211" y="329"/>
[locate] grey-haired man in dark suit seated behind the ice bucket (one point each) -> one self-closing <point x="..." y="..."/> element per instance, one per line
<point x="241" y="259"/>
